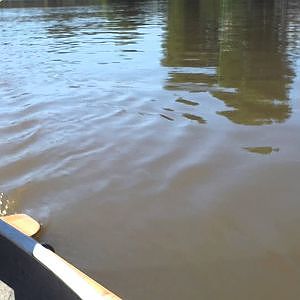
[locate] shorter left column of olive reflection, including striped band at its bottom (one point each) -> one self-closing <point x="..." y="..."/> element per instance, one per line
<point x="192" y="41"/>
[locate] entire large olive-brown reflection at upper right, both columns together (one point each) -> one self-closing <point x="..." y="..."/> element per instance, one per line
<point x="237" y="51"/>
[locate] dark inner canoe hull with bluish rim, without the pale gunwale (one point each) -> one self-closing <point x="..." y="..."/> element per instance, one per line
<point x="24" y="273"/>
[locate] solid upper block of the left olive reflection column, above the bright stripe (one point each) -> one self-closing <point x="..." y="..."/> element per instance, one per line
<point x="192" y="33"/>
